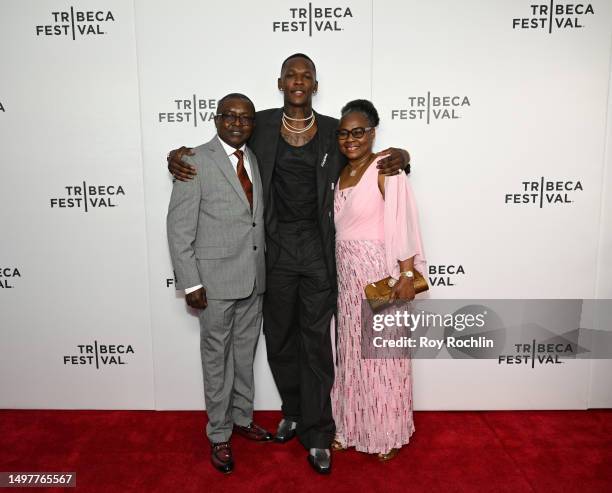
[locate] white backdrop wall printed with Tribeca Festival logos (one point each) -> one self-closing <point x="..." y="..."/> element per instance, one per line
<point x="504" y="105"/>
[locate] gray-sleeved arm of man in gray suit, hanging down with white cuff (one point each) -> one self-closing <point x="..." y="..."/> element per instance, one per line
<point x="182" y="225"/>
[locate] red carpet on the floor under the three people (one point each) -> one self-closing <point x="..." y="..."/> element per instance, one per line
<point x="147" y="451"/>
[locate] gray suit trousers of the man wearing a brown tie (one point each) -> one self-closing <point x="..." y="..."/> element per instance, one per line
<point x="229" y="330"/>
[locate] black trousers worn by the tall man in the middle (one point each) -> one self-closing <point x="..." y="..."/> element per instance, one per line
<point x="298" y="306"/>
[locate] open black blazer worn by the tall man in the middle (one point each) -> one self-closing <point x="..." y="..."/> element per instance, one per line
<point x="330" y="162"/>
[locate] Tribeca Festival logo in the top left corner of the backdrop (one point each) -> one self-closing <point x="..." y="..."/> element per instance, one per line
<point x="73" y="23"/>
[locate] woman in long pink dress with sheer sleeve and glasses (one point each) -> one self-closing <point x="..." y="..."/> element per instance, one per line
<point x="377" y="235"/>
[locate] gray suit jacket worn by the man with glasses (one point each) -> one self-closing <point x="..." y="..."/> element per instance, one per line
<point x="214" y="238"/>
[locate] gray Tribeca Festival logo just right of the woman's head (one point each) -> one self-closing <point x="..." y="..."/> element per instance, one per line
<point x="431" y="108"/>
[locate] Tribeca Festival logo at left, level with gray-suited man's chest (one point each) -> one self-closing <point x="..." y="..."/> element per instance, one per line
<point x="86" y="197"/>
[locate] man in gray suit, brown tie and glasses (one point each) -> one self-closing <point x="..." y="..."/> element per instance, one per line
<point x="216" y="237"/>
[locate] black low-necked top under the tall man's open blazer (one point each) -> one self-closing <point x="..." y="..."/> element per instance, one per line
<point x="295" y="181"/>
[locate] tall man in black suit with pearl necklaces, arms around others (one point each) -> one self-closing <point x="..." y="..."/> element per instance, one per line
<point x="299" y="162"/>
